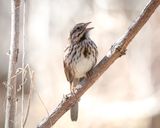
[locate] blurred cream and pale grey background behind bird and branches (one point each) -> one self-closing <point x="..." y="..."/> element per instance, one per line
<point x="127" y="95"/>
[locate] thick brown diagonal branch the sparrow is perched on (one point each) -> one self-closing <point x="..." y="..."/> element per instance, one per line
<point x="117" y="50"/>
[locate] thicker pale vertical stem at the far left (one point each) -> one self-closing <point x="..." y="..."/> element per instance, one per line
<point x="11" y="82"/>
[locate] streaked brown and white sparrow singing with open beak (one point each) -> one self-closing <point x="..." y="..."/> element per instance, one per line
<point x="80" y="57"/>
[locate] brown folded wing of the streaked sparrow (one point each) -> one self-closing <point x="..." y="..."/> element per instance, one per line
<point x="68" y="72"/>
